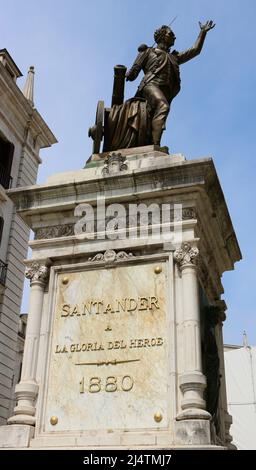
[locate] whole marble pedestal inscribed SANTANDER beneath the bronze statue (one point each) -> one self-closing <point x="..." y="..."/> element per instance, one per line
<point x="116" y="349"/>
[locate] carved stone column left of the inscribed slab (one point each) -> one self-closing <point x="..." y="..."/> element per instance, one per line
<point x="26" y="390"/>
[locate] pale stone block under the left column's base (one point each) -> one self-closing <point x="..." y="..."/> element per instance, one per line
<point x="16" y="436"/>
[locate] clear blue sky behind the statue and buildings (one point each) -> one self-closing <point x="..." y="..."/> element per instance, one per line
<point x="74" y="46"/>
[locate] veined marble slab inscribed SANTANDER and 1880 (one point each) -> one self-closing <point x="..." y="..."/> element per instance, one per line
<point x="108" y="367"/>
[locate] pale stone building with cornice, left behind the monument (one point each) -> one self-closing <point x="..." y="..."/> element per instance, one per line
<point x="23" y="133"/>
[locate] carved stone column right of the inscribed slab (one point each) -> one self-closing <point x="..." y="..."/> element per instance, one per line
<point x="192" y="381"/>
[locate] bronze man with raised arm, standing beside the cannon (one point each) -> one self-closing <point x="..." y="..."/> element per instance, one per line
<point x="161" y="82"/>
